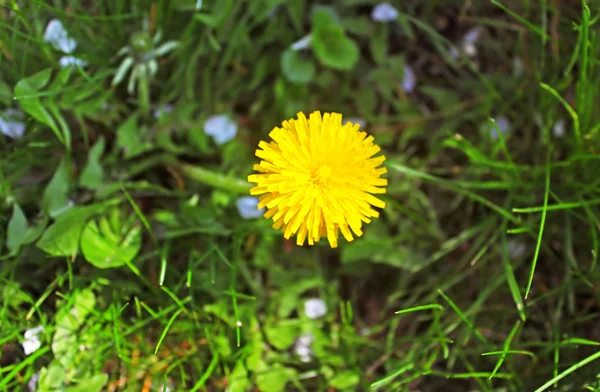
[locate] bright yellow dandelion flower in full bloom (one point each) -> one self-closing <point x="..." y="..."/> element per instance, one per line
<point x="317" y="178"/>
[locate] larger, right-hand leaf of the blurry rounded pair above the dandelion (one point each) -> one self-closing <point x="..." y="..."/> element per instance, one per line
<point x="333" y="48"/>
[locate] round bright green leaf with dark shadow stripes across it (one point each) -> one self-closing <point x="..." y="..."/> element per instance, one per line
<point x="106" y="245"/>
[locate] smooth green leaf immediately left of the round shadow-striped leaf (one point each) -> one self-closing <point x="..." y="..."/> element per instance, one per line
<point x="62" y="237"/>
